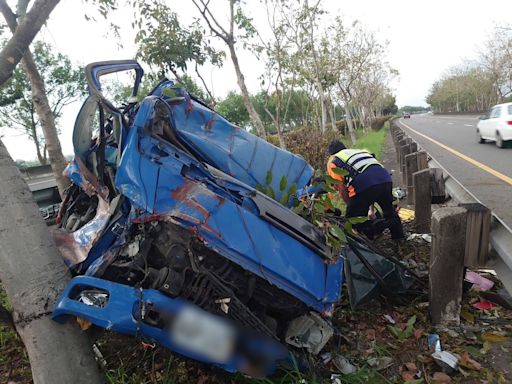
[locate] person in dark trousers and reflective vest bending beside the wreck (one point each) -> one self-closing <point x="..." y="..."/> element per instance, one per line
<point x="364" y="181"/>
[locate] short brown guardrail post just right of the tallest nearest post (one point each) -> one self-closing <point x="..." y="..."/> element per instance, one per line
<point x="477" y="234"/>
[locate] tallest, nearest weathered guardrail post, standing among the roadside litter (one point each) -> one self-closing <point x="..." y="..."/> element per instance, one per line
<point x="446" y="268"/>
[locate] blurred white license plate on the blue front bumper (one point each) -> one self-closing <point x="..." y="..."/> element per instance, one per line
<point x="204" y="334"/>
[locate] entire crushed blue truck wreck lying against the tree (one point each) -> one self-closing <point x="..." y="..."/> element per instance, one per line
<point x="169" y="238"/>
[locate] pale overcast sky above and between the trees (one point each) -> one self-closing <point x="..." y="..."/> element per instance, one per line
<point x="425" y="39"/>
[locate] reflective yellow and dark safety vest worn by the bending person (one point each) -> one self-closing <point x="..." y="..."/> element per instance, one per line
<point x="351" y="162"/>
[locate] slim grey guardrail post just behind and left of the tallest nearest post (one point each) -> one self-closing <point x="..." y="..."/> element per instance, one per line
<point x="422" y="197"/>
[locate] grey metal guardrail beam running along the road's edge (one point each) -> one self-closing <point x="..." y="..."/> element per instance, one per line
<point x="501" y="233"/>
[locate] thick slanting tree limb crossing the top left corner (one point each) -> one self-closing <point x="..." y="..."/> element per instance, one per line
<point x="15" y="49"/>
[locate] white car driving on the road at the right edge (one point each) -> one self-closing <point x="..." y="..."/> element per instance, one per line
<point x="496" y="125"/>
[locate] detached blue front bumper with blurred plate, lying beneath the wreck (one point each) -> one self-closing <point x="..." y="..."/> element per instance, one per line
<point x="155" y="317"/>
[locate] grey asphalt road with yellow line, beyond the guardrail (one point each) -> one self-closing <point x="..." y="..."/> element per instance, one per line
<point x="484" y="169"/>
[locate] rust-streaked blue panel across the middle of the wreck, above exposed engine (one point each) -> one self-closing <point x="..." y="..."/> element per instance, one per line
<point x="168" y="183"/>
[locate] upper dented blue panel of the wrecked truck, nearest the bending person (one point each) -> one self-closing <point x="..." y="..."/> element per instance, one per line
<point x="231" y="149"/>
